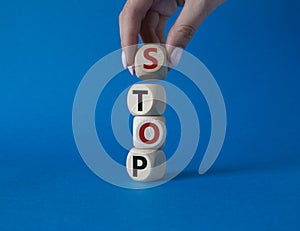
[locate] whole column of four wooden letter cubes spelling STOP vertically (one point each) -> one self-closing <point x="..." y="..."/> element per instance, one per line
<point x="147" y="103"/>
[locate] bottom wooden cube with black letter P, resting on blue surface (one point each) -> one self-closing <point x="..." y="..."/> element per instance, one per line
<point x="146" y="164"/>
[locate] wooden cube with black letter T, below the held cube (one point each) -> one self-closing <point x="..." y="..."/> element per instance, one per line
<point x="146" y="99"/>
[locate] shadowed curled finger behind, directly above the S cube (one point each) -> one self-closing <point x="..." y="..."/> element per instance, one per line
<point x="148" y="27"/>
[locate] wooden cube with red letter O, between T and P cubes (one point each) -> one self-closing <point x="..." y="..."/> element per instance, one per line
<point x="149" y="132"/>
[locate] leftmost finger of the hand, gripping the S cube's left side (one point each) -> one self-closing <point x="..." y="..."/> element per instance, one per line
<point x="130" y="23"/>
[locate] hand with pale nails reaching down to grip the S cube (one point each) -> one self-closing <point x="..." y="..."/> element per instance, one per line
<point x="147" y="18"/>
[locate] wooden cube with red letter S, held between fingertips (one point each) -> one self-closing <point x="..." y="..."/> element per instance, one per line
<point x="151" y="62"/>
